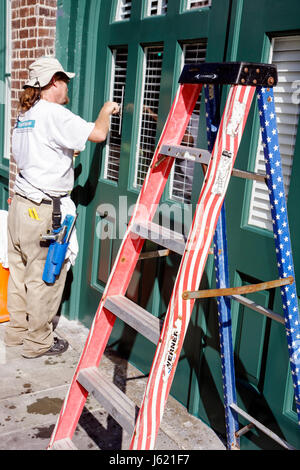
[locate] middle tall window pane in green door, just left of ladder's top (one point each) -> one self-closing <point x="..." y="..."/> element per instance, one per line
<point x="153" y="57"/>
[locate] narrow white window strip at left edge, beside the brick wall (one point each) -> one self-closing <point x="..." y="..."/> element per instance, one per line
<point x="5" y="81"/>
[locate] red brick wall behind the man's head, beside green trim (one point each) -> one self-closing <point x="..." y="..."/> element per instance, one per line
<point x="33" y="35"/>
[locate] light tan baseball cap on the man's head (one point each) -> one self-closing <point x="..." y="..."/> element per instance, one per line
<point x="42" y="70"/>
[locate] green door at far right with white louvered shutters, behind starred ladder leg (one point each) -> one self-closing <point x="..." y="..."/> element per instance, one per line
<point x="263" y="376"/>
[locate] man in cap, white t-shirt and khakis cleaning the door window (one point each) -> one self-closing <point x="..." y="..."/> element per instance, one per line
<point x="43" y="143"/>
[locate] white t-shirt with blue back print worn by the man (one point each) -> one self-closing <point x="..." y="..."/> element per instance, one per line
<point x="43" y="143"/>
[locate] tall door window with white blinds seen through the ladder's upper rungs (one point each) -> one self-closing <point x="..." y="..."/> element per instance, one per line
<point x="182" y="173"/>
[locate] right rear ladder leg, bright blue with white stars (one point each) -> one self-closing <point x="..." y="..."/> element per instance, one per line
<point x="284" y="257"/>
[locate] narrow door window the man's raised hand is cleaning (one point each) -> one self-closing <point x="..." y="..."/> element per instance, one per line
<point x="113" y="148"/>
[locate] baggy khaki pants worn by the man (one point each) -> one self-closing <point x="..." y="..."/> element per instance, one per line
<point x="31" y="302"/>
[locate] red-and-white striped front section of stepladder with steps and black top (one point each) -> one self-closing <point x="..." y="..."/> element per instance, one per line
<point x="87" y="378"/>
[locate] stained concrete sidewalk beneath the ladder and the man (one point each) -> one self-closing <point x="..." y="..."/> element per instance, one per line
<point x="32" y="394"/>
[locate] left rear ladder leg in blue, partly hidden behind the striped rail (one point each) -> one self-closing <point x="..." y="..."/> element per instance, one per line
<point x="222" y="280"/>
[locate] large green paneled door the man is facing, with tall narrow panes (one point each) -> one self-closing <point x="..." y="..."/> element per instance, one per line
<point x="135" y="54"/>
